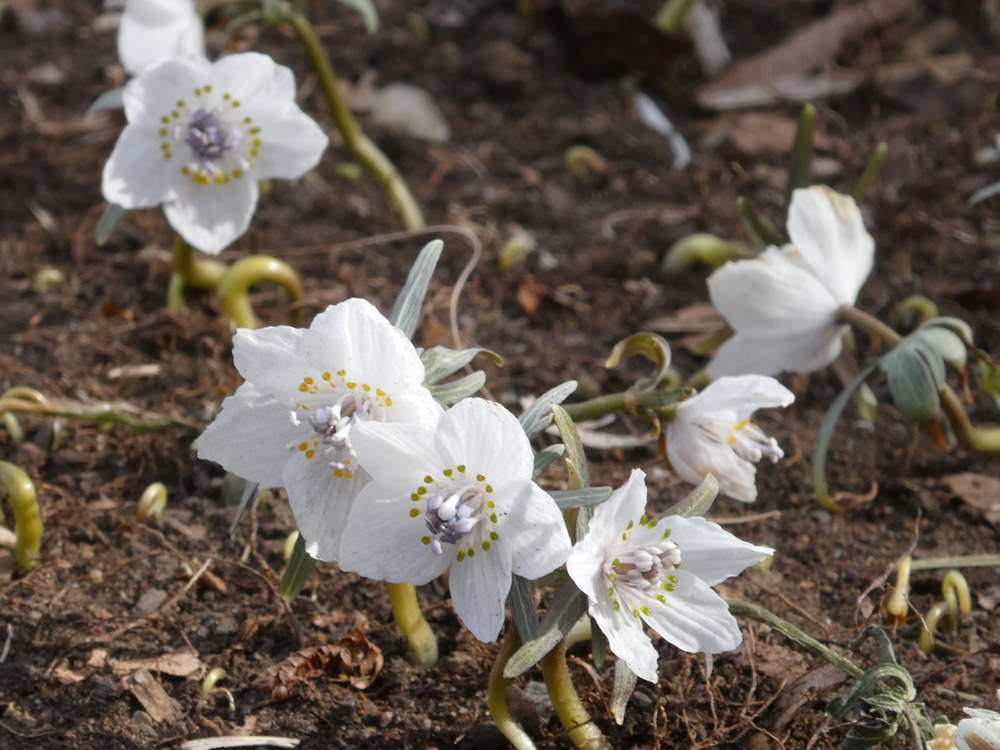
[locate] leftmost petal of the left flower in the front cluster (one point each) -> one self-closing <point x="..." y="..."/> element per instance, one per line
<point x="249" y="437"/>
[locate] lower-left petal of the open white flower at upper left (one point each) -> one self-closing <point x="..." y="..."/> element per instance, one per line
<point x="137" y="175"/>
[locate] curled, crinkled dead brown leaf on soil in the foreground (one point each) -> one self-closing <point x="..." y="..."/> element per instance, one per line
<point x="353" y="658"/>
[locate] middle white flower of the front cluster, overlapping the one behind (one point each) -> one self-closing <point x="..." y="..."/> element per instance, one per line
<point x="458" y="497"/>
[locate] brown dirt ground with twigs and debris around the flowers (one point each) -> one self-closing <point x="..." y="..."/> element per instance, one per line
<point x="110" y="597"/>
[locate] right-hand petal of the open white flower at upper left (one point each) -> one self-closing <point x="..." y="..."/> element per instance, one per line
<point x="291" y="143"/>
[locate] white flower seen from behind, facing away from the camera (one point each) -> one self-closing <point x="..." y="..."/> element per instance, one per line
<point x="783" y="304"/>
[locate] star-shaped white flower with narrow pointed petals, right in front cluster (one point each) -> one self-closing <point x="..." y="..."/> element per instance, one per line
<point x="658" y="572"/>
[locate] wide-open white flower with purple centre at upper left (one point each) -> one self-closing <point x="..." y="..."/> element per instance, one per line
<point x="201" y="135"/>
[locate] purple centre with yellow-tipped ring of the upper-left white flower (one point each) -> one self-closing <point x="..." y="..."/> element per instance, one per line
<point x="220" y="145"/>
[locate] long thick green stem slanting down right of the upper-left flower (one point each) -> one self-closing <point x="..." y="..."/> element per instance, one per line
<point x="363" y="148"/>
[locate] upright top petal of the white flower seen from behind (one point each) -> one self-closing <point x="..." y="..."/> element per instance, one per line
<point x="828" y="230"/>
